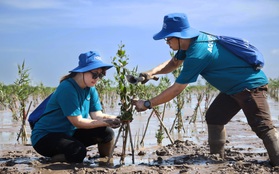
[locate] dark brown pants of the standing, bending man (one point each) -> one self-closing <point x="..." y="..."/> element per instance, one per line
<point x="253" y="103"/>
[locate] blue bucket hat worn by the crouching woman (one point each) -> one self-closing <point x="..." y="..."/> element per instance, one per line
<point x="90" y="60"/>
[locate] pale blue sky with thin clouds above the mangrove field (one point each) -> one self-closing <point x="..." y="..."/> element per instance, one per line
<point x="49" y="35"/>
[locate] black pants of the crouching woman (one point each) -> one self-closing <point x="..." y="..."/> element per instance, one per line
<point x="73" y="147"/>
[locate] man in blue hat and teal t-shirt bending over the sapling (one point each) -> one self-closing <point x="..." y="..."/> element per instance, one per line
<point x="241" y="86"/>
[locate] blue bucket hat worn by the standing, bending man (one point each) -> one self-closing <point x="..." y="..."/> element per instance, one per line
<point x="176" y="25"/>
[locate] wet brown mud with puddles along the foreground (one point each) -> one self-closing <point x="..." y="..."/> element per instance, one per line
<point x="180" y="157"/>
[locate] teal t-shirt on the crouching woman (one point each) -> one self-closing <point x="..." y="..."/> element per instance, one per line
<point x="67" y="100"/>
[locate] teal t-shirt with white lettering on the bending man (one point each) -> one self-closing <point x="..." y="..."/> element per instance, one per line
<point x="219" y="67"/>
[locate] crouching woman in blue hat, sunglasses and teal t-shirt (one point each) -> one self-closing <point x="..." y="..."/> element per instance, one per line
<point x="65" y="129"/>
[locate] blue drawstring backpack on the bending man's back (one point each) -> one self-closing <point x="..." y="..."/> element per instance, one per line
<point x="241" y="48"/>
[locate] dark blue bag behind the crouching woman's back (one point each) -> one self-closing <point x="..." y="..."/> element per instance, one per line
<point x="38" y="113"/>
